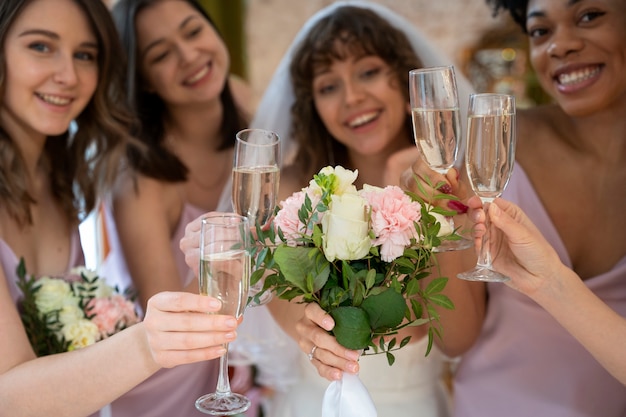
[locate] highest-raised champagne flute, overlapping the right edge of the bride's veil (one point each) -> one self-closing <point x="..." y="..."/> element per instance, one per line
<point x="436" y="127"/>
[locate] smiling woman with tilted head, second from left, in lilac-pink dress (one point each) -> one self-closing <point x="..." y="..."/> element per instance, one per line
<point x="179" y="86"/>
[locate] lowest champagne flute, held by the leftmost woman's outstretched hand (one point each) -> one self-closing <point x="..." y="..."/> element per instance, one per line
<point x="225" y="274"/>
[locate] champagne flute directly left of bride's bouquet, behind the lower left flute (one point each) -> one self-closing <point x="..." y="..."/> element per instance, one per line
<point x="256" y="176"/>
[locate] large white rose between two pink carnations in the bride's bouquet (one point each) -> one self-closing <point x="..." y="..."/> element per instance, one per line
<point x="346" y="229"/>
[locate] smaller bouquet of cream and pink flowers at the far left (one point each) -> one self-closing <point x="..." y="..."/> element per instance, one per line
<point x="66" y="313"/>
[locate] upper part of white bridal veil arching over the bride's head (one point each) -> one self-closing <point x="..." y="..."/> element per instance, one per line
<point x="274" y="109"/>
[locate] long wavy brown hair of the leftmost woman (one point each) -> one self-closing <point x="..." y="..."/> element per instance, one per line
<point x="83" y="164"/>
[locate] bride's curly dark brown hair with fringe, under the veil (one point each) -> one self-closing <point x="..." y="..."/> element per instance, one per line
<point x="348" y="31"/>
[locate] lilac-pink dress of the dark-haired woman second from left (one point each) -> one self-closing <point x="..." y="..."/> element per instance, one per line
<point x="169" y="392"/>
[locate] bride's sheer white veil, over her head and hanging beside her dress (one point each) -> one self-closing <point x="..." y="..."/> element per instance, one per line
<point x="276" y="357"/>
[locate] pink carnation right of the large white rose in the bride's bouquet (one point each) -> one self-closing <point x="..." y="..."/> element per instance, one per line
<point x="393" y="217"/>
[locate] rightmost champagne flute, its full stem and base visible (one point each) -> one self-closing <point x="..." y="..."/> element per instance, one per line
<point x="490" y="156"/>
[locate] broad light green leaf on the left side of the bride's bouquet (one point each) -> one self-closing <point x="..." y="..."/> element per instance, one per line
<point x="298" y="263"/>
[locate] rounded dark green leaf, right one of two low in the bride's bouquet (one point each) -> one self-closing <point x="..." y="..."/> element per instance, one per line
<point x="385" y="310"/>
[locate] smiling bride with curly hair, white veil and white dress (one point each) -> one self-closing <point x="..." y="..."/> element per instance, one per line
<point x="340" y="96"/>
